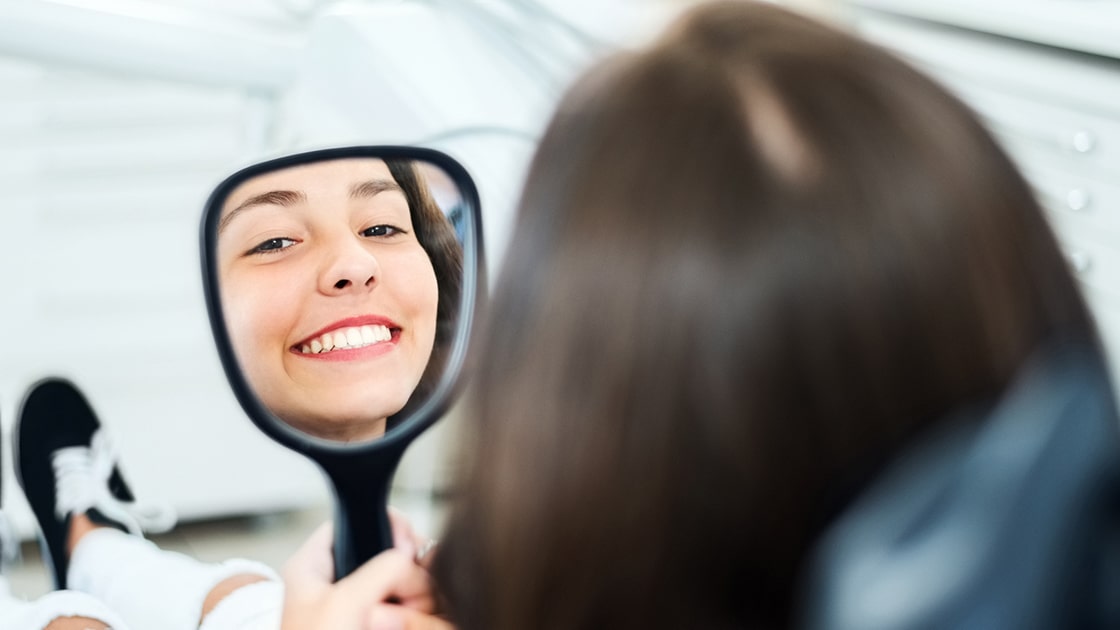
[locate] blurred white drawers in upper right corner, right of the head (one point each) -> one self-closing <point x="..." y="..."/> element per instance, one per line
<point x="1046" y="78"/>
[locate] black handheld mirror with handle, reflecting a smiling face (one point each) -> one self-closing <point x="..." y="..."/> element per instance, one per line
<point x="342" y="285"/>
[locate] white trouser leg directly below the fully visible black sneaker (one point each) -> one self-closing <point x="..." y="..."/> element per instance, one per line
<point x="155" y="589"/>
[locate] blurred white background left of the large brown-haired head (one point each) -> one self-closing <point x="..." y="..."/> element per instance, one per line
<point x="118" y="117"/>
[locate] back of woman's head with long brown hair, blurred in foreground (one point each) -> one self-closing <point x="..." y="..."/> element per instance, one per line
<point x="752" y="264"/>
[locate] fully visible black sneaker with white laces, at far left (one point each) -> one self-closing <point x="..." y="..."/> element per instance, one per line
<point x="67" y="466"/>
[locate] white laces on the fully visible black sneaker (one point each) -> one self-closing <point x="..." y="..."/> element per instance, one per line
<point x="82" y="478"/>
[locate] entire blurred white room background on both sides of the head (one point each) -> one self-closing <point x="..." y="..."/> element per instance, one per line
<point x="118" y="117"/>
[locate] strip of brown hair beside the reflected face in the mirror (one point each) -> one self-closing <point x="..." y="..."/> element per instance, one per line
<point x="437" y="238"/>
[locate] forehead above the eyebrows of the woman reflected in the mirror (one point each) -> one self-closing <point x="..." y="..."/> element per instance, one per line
<point x="318" y="180"/>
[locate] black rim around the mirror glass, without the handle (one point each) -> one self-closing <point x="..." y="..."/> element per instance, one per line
<point x="323" y="451"/>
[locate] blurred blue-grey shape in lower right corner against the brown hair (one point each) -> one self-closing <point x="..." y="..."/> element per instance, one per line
<point x="1002" y="523"/>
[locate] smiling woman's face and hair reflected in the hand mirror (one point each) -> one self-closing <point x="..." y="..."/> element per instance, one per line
<point x="339" y="281"/>
